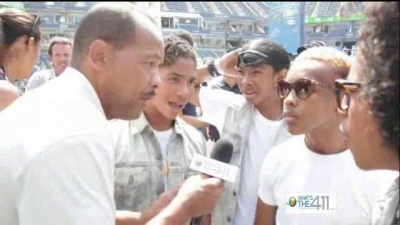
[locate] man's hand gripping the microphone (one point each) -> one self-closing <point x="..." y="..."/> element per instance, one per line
<point x="199" y="195"/>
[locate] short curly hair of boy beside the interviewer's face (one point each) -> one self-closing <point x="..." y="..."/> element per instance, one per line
<point x="176" y="47"/>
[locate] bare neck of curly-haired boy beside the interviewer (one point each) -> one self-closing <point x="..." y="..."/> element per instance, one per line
<point x="156" y="119"/>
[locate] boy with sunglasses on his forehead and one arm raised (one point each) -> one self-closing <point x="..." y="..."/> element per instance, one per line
<point x="251" y="121"/>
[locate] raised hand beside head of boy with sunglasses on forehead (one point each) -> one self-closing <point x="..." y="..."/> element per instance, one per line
<point x="227" y="63"/>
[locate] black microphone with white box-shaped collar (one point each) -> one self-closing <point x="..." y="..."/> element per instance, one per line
<point x="215" y="166"/>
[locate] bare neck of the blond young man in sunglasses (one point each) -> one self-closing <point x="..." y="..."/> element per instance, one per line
<point x="326" y="139"/>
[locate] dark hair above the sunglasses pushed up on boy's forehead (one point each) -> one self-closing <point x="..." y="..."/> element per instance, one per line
<point x="279" y="58"/>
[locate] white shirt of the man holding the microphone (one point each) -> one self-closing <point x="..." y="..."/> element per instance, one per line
<point x="57" y="157"/>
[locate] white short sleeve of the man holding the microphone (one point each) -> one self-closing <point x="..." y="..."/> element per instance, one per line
<point x="70" y="183"/>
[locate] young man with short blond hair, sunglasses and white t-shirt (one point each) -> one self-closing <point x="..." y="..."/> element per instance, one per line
<point x="312" y="178"/>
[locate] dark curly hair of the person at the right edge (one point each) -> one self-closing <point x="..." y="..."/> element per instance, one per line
<point x="378" y="57"/>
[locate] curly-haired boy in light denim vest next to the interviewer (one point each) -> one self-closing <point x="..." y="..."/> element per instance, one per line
<point x="153" y="152"/>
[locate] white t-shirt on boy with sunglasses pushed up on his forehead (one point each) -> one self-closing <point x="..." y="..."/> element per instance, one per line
<point x="262" y="134"/>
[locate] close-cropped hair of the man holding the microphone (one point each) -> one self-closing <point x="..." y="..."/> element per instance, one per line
<point x="114" y="23"/>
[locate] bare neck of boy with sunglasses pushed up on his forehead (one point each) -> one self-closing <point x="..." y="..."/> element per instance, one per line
<point x="271" y="108"/>
